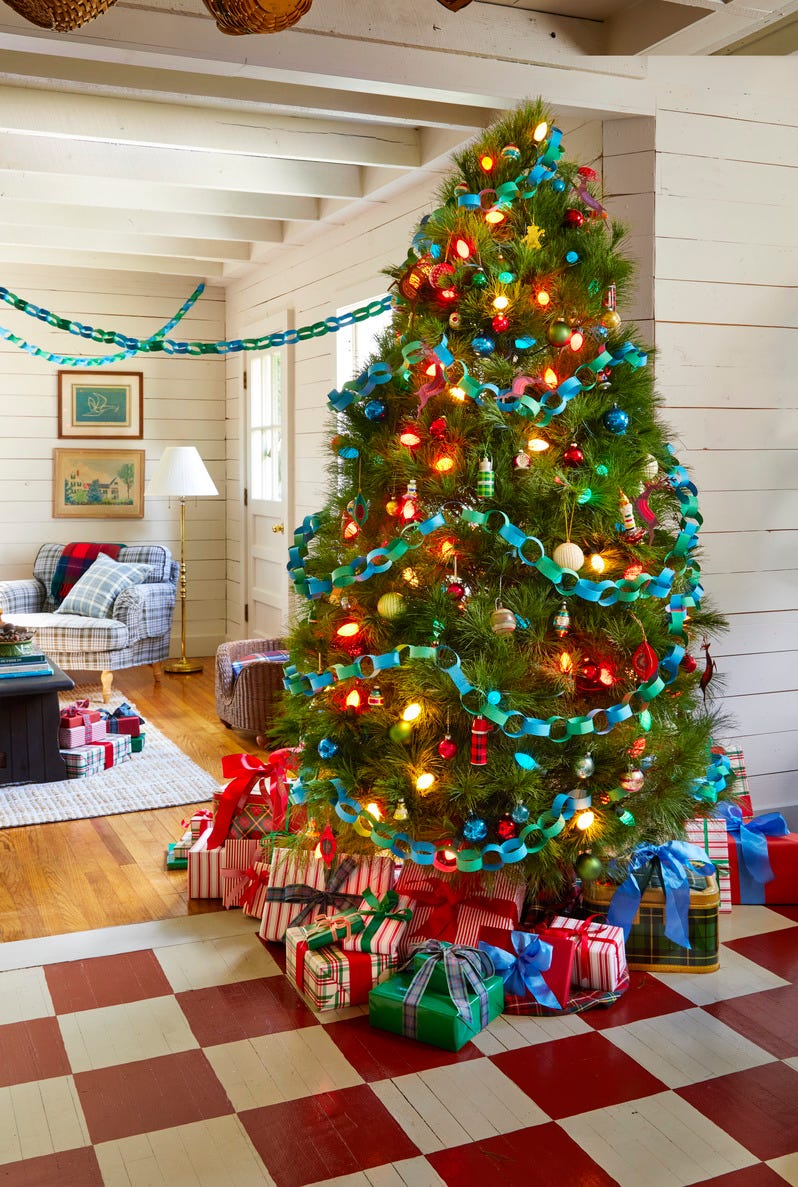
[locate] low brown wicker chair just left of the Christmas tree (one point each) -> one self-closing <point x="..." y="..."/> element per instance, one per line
<point x="248" y="702"/>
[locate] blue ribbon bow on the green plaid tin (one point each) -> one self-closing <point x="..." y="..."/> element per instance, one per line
<point x="673" y="860"/>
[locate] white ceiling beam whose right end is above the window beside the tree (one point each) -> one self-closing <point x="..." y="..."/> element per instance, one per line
<point x="207" y="170"/>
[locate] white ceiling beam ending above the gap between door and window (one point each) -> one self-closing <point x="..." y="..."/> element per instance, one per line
<point x="153" y="196"/>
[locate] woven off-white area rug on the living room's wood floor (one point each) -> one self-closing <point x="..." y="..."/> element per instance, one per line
<point x="159" y="777"/>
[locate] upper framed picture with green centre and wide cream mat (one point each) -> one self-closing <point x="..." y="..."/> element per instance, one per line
<point x="93" y="405"/>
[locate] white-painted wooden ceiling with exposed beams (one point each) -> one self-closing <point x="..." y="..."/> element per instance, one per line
<point x="150" y="142"/>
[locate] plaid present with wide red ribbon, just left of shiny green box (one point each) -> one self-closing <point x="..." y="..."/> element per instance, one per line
<point x="330" y="977"/>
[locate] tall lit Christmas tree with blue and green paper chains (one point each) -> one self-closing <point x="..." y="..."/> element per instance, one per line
<point x="491" y="659"/>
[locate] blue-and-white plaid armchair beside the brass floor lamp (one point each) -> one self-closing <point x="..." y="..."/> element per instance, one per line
<point x="137" y="633"/>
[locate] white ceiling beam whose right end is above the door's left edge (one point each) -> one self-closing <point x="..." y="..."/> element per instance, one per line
<point x="122" y="244"/>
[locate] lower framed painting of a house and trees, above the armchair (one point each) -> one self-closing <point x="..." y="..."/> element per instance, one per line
<point x="98" y="484"/>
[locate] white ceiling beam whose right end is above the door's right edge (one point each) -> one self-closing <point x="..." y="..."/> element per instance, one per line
<point x="138" y="223"/>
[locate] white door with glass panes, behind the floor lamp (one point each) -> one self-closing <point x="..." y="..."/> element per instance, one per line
<point x="269" y="524"/>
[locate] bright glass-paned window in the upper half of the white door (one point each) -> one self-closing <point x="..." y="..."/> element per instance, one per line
<point x="267" y="427"/>
